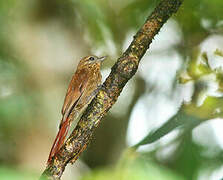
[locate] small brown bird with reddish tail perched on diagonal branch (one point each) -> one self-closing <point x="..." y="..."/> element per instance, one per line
<point x="81" y="90"/>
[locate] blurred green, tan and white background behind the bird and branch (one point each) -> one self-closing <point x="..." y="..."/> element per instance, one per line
<point x="171" y="110"/>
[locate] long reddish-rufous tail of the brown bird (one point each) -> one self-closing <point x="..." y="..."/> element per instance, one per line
<point x="58" y="142"/>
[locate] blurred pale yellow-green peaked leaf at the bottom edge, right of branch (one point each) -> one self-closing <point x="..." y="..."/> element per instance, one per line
<point x="133" y="166"/>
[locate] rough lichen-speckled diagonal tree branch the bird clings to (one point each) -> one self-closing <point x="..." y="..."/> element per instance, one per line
<point x="123" y="70"/>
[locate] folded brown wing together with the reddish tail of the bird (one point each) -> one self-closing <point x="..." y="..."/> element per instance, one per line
<point x="75" y="91"/>
